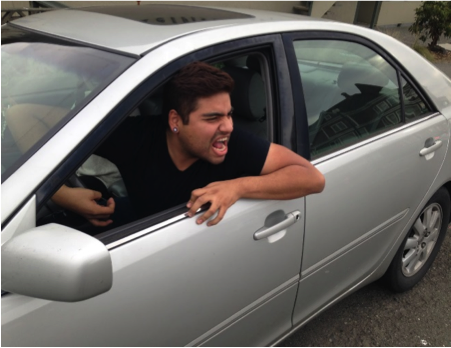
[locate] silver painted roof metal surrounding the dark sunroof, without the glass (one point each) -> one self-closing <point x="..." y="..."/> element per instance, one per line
<point x="131" y="37"/>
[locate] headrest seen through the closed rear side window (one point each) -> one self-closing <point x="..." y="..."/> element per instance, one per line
<point x="355" y="78"/>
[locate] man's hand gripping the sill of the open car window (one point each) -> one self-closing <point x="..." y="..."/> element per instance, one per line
<point x="221" y="195"/>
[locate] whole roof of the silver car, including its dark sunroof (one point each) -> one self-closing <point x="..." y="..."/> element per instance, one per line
<point x="136" y="30"/>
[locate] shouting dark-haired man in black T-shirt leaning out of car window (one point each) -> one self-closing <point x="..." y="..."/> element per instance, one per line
<point x="194" y="155"/>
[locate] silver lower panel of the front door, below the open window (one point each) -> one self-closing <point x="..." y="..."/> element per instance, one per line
<point x="212" y="264"/>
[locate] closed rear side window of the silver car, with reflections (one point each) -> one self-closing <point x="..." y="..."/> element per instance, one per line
<point x="351" y="93"/>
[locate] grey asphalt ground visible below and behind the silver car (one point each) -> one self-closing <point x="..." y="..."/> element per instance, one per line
<point x="374" y="316"/>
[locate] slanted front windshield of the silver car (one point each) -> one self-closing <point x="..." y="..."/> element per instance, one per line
<point x="45" y="82"/>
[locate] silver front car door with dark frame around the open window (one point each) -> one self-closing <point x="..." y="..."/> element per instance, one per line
<point x="177" y="283"/>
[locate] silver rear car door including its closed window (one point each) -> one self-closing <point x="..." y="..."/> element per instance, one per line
<point x="380" y="145"/>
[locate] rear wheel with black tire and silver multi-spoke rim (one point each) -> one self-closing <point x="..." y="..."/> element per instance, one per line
<point x="421" y="245"/>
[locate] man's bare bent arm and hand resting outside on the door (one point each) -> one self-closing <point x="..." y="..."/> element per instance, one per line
<point x="285" y="175"/>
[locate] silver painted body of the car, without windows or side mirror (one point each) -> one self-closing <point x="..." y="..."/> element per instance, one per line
<point x="183" y="284"/>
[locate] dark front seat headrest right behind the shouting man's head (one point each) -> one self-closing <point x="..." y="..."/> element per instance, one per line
<point x="248" y="97"/>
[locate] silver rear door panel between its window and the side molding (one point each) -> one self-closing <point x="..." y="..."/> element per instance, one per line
<point x="387" y="166"/>
